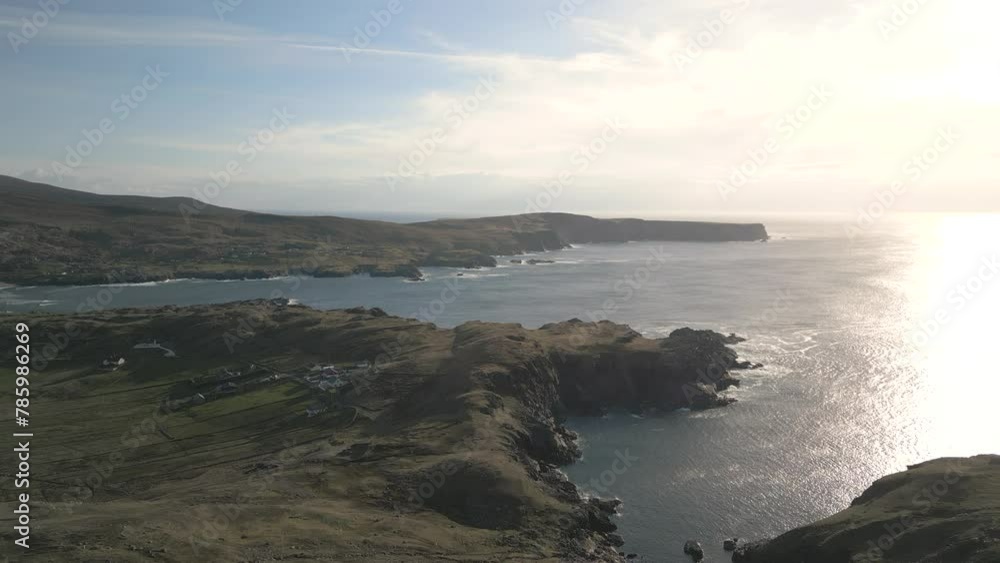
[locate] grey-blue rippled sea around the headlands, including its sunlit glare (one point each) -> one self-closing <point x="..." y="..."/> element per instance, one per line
<point x="879" y="352"/>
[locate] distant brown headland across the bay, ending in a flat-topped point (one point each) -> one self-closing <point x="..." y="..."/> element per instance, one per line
<point x="52" y="235"/>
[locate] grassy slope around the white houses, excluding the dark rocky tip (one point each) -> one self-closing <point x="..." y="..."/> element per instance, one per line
<point x="250" y="477"/>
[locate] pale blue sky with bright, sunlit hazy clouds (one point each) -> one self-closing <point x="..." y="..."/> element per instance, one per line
<point x="474" y="107"/>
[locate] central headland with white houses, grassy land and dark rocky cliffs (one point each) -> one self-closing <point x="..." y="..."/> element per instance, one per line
<point x="243" y="446"/>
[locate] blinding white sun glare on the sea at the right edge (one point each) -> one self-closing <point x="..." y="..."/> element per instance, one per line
<point x="953" y="333"/>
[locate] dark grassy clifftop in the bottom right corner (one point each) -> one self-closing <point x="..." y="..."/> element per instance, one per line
<point x="941" y="511"/>
